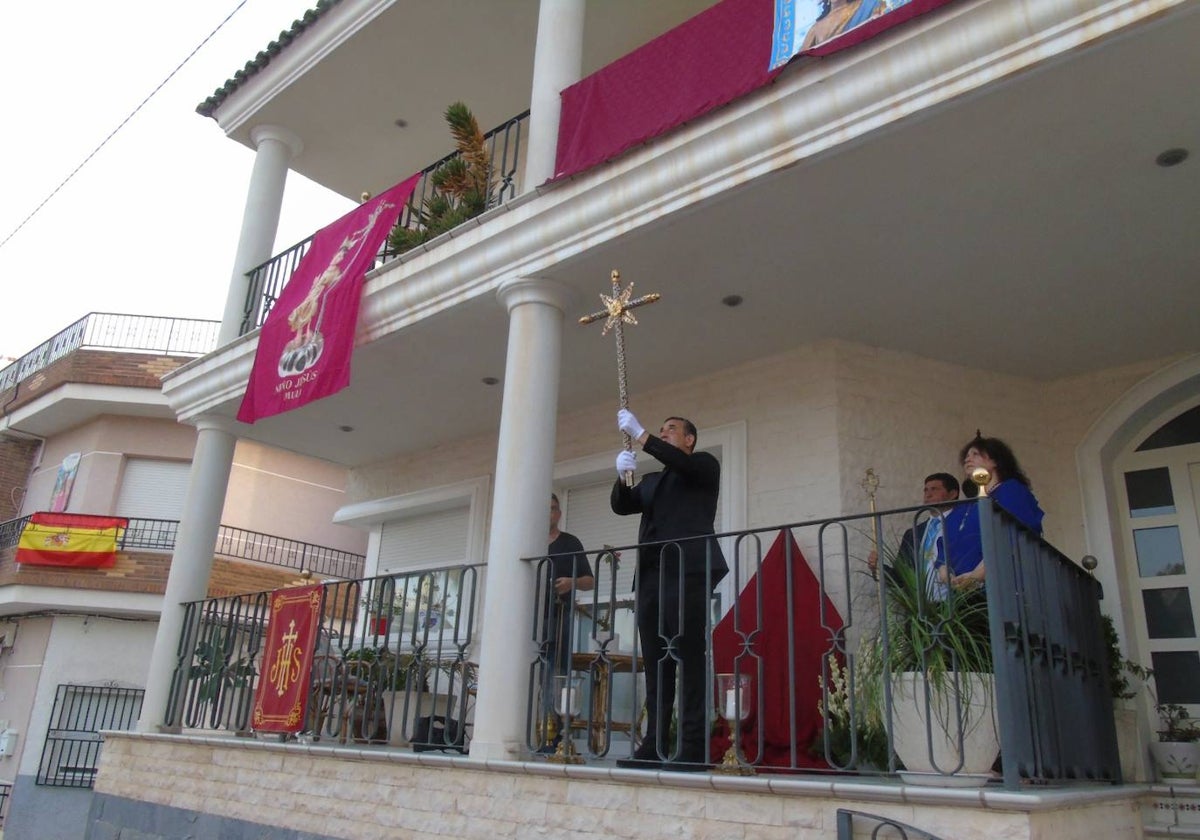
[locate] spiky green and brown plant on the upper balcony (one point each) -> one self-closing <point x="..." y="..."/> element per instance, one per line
<point x="461" y="188"/>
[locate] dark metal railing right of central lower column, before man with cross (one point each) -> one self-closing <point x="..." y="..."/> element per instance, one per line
<point x="815" y="633"/>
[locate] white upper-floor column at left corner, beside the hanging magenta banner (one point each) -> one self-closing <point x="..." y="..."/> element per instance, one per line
<point x="261" y="219"/>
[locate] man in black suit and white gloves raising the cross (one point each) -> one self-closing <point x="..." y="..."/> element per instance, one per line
<point x="677" y="505"/>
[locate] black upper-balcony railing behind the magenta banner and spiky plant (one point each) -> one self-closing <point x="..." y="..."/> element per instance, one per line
<point x="505" y="147"/>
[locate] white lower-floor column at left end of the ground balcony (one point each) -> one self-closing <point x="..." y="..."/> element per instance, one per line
<point x="193" y="561"/>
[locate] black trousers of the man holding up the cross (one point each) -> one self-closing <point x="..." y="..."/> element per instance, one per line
<point x="674" y="653"/>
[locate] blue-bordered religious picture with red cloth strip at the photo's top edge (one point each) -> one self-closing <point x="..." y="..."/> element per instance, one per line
<point x="824" y="27"/>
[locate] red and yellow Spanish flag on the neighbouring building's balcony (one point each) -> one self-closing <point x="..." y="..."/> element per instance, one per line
<point x="76" y="541"/>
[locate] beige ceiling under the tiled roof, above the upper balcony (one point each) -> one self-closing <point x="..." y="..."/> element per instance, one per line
<point x="417" y="58"/>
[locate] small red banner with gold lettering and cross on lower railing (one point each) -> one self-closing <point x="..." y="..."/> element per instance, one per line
<point x="283" y="699"/>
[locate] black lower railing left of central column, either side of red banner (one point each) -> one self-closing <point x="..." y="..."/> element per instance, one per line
<point x="392" y="663"/>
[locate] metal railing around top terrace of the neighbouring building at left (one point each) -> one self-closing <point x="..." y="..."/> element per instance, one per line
<point x="143" y="334"/>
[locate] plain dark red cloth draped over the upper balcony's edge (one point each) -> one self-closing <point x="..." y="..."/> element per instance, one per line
<point x="707" y="62"/>
